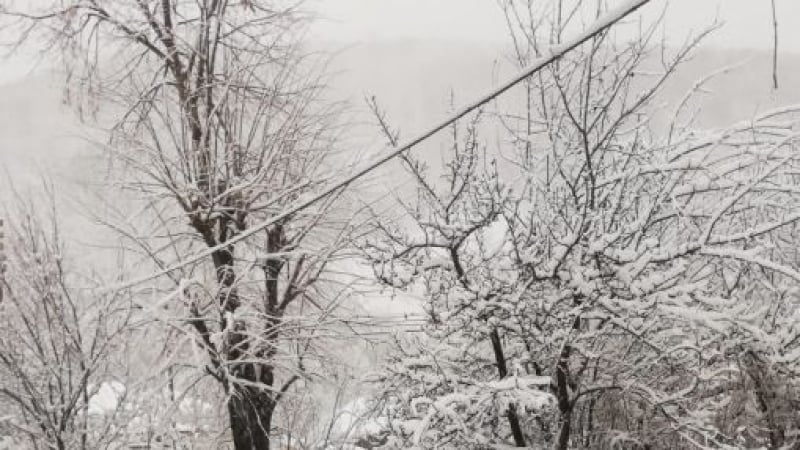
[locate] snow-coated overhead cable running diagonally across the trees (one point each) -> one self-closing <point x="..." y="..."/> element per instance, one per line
<point x="555" y="53"/>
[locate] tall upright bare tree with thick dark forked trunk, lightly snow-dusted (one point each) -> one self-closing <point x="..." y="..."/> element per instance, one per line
<point x="218" y="123"/>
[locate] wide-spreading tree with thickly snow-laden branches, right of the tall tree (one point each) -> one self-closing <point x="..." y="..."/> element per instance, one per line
<point x="603" y="274"/>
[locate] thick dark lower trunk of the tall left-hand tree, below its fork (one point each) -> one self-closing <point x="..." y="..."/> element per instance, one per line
<point x="250" y="414"/>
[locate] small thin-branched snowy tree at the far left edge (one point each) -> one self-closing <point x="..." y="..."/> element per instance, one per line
<point x="58" y="339"/>
